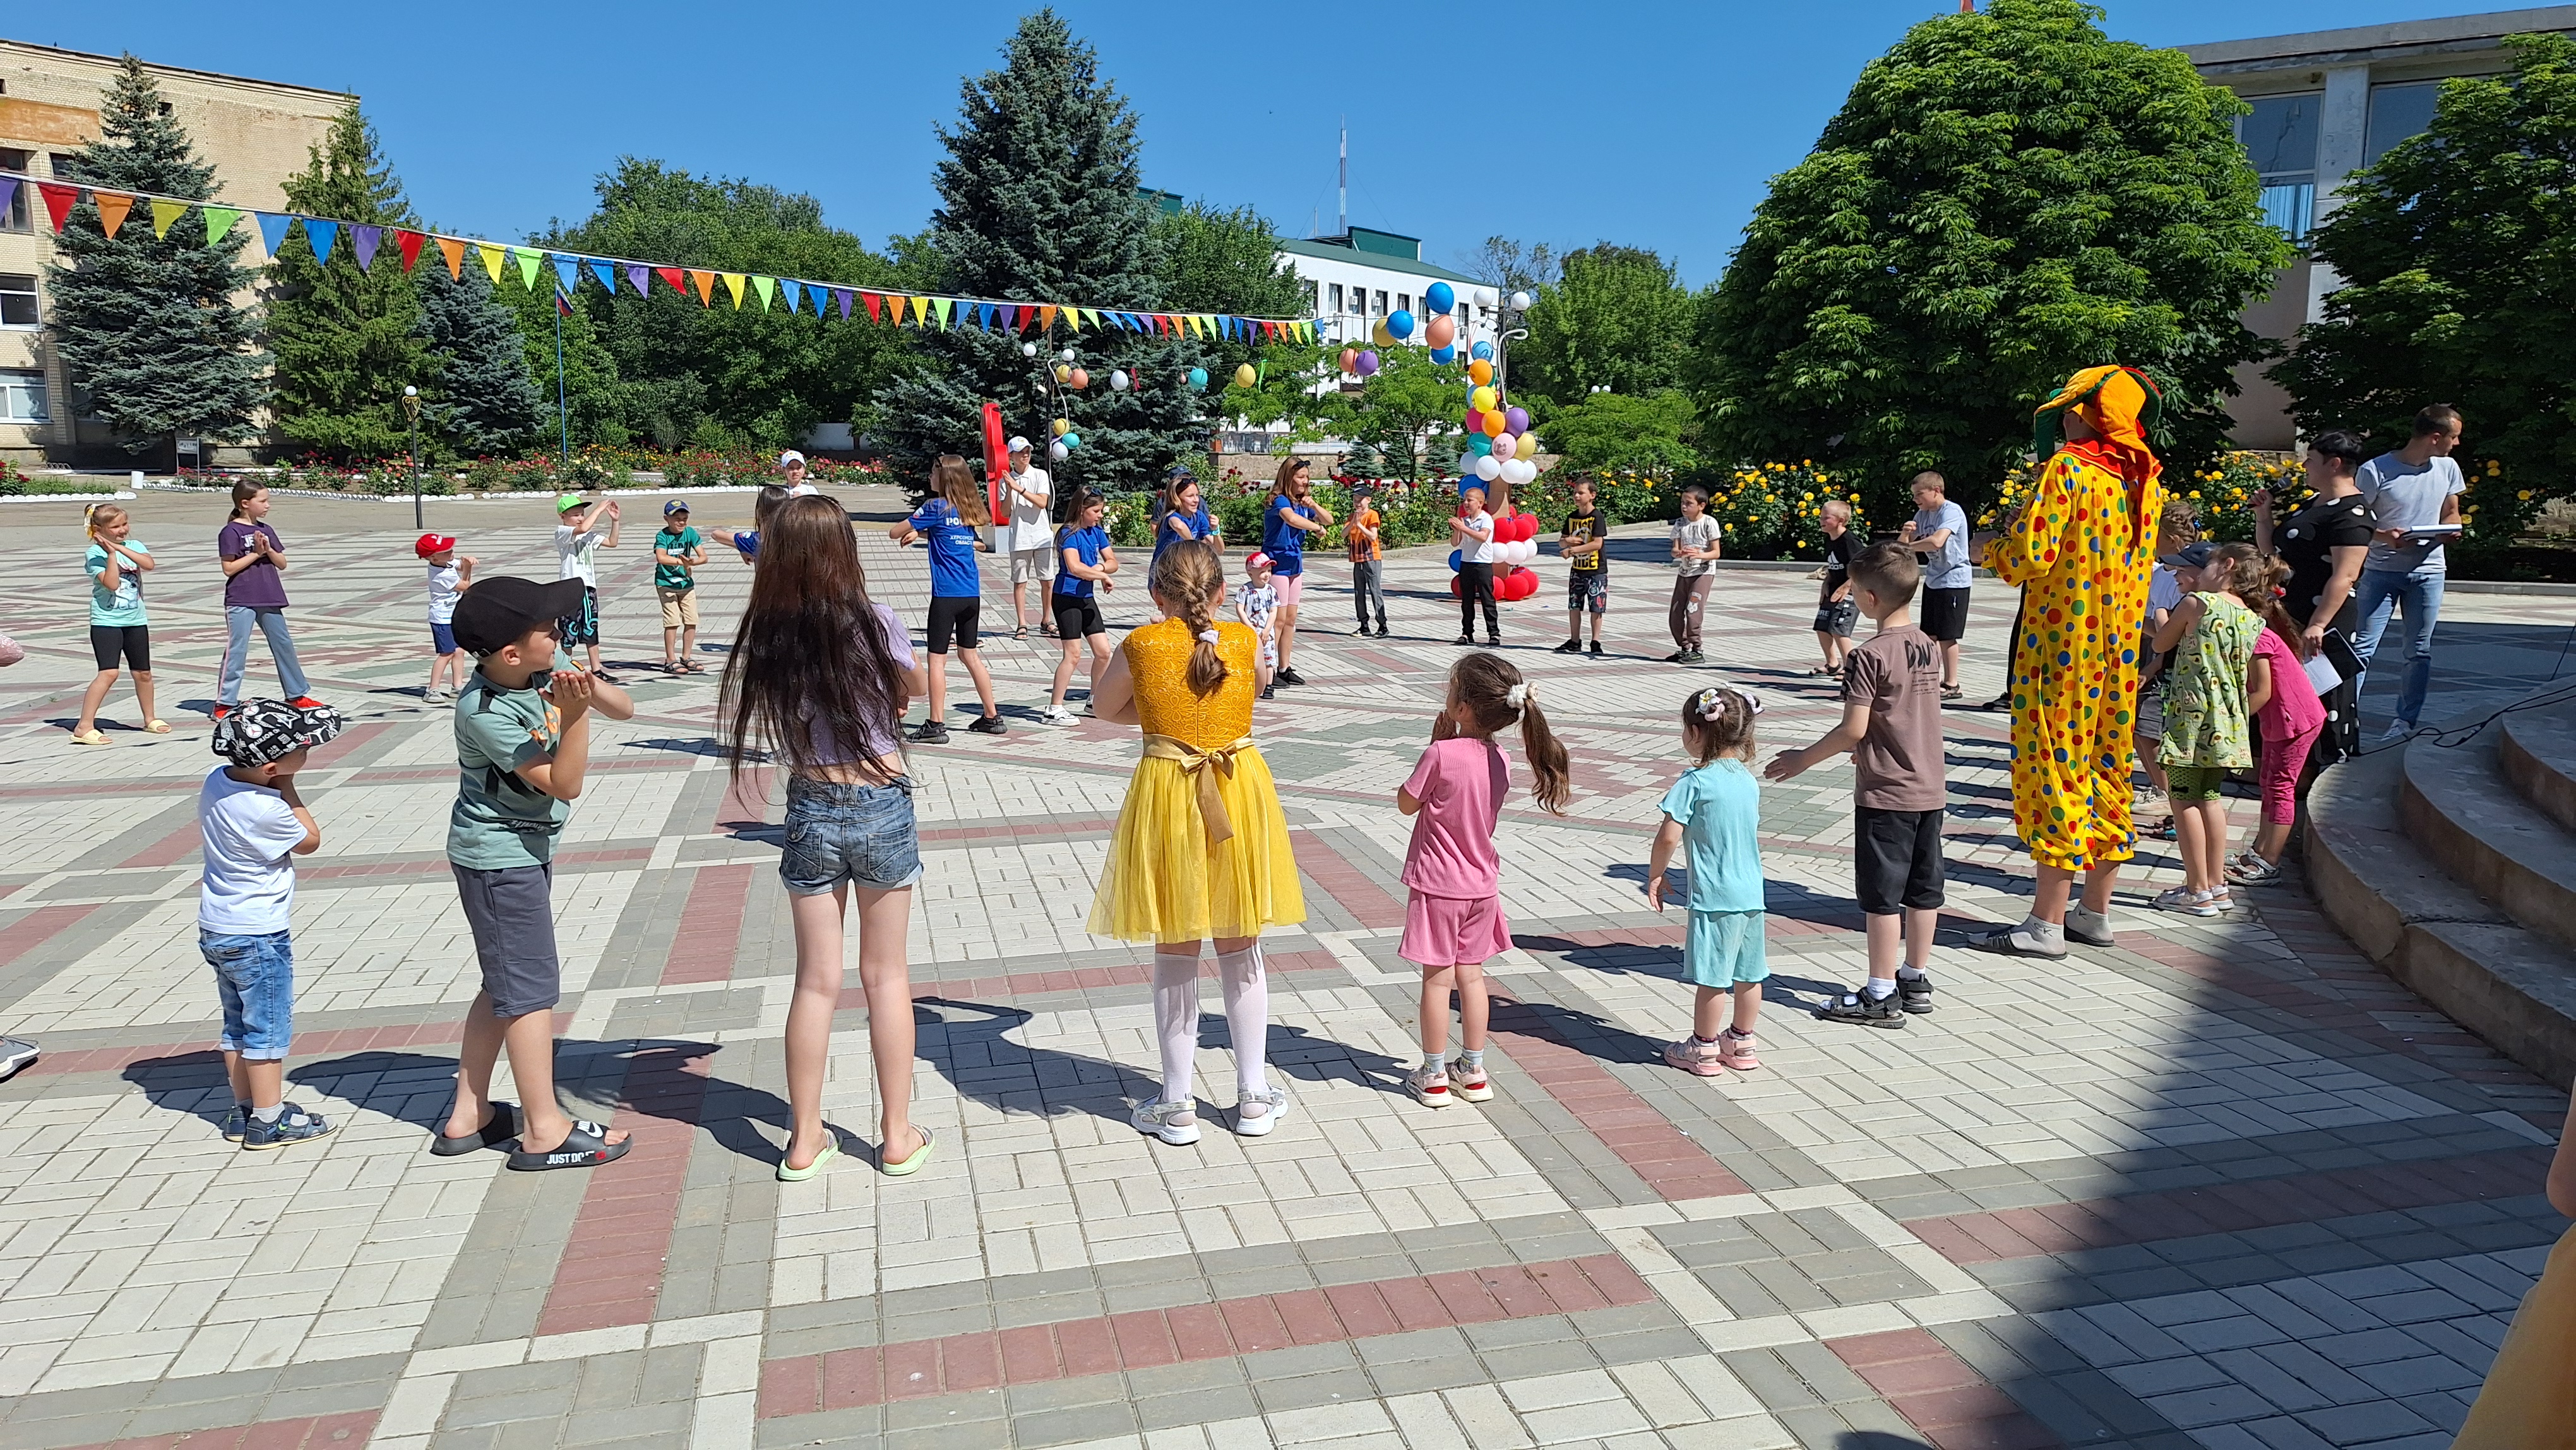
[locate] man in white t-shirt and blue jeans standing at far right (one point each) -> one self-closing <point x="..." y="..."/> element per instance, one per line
<point x="2410" y="491"/>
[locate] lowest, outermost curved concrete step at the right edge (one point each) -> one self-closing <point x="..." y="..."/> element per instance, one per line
<point x="2382" y="887"/>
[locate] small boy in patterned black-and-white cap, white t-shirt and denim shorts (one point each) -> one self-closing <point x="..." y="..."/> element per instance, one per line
<point x="254" y="825"/>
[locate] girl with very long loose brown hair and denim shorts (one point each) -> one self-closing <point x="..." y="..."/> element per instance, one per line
<point x="818" y="681"/>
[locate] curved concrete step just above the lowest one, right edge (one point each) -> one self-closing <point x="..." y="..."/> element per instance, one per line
<point x="2469" y="818"/>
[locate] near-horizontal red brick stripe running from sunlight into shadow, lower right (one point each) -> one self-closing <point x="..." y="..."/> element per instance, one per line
<point x="2232" y="1207"/>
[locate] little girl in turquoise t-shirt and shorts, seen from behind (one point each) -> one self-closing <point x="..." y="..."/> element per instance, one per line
<point x="1717" y="813"/>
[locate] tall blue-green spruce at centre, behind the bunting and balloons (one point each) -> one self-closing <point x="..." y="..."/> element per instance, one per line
<point x="1039" y="200"/>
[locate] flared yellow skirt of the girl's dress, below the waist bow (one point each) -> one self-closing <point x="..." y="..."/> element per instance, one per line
<point x="1168" y="885"/>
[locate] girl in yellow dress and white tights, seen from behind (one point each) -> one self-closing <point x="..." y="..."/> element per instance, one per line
<point x="1202" y="846"/>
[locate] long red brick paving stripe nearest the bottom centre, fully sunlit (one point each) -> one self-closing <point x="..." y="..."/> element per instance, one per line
<point x="1075" y="1348"/>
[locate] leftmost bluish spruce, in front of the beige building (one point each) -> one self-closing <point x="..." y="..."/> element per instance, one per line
<point x="148" y="326"/>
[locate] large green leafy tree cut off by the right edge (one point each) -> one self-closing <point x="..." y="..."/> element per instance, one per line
<point x="2459" y="261"/>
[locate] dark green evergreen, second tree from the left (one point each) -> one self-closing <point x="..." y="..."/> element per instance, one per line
<point x="346" y="339"/>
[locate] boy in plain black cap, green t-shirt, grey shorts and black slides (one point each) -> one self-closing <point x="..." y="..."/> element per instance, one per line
<point x="522" y="753"/>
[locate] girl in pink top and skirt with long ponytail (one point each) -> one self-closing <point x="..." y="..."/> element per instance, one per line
<point x="1454" y="916"/>
